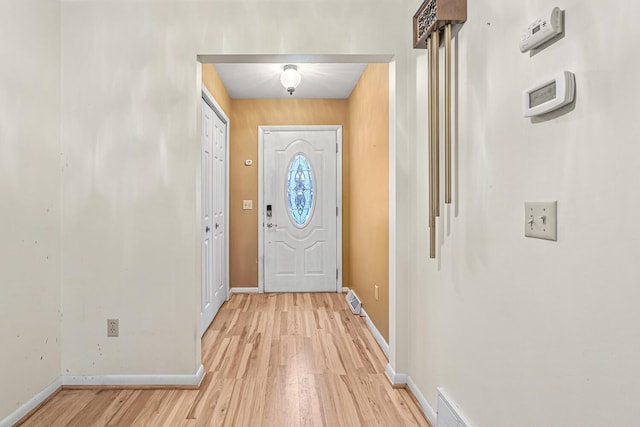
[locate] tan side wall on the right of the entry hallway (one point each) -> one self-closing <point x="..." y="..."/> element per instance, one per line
<point x="369" y="192"/>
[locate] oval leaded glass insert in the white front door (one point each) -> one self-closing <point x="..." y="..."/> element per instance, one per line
<point x="300" y="190"/>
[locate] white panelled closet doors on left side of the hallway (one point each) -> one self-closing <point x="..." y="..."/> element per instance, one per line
<point x="213" y="220"/>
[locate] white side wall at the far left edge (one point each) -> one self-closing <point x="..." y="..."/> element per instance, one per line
<point x="30" y="200"/>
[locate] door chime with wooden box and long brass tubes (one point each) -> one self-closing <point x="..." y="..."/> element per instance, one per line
<point x="432" y="18"/>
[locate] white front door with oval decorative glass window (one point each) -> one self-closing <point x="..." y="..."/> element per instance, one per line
<point x="300" y="212"/>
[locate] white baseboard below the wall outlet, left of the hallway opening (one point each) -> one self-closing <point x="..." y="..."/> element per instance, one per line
<point x="134" y="380"/>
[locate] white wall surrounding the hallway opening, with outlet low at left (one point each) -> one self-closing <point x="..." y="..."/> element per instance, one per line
<point x="131" y="147"/>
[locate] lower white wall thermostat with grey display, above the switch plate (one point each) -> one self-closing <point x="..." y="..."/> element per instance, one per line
<point x="549" y="95"/>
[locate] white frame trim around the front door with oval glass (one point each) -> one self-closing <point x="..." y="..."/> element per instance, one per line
<point x="261" y="229"/>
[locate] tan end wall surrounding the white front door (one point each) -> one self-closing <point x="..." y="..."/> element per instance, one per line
<point x="246" y="116"/>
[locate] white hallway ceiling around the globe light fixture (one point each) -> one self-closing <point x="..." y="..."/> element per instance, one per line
<point x="262" y="80"/>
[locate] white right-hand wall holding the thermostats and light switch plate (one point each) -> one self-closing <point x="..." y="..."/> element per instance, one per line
<point x="525" y="332"/>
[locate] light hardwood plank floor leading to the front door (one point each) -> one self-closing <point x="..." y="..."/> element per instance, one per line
<point x="270" y="360"/>
